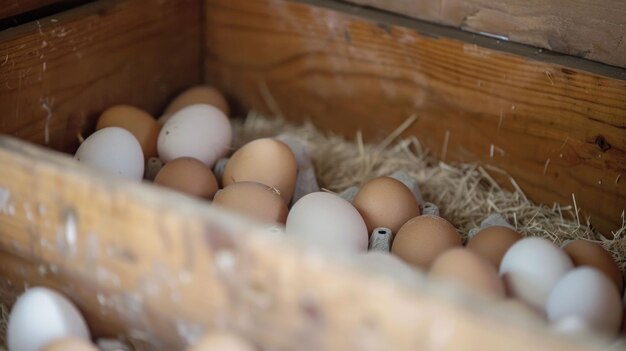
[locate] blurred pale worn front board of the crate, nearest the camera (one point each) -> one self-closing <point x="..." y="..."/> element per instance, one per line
<point x="166" y="268"/>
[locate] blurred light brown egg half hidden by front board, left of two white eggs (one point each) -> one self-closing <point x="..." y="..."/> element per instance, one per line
<point x="466" y="268"/>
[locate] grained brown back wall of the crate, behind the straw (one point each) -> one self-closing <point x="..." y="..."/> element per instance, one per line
<point x="558" y="131"/>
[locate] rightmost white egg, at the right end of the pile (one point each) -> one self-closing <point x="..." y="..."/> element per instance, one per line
<point x="588" y="294"/>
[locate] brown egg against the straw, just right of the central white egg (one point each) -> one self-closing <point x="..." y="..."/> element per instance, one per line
<point x="385" y="202"/>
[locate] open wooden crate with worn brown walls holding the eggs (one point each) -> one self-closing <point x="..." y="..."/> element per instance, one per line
<point x="167" y="268"/>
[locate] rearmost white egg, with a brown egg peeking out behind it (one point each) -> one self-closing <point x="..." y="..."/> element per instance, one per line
<point x="199" y="131"/>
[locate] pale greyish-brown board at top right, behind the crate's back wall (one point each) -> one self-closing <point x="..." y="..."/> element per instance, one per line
<point x="593" y="29"/>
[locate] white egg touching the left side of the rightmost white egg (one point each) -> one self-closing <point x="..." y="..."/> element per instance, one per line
<point x="532" y="267"/>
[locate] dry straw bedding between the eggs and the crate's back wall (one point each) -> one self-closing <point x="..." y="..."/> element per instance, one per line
<point x="465" y="193"/>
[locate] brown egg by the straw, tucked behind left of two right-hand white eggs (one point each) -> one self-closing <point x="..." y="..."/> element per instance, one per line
<point x="493" y="242"/>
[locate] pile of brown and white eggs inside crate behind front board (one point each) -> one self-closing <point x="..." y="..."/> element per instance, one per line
<point x="385" y="225"/>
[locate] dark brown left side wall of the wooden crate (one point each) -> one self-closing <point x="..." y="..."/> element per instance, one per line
<point x="57" y="74"/>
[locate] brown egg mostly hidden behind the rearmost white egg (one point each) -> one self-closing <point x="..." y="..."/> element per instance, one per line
<point x="196" y="95"/>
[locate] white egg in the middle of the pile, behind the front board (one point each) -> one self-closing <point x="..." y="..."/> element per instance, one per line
<point x="327" y="221"/>
